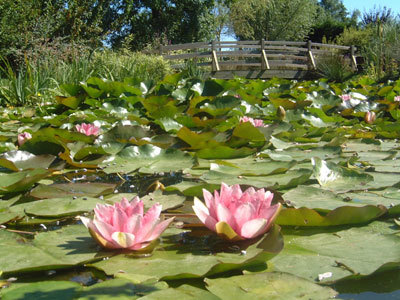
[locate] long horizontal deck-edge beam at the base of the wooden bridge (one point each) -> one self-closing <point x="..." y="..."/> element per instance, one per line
<point x="291" y="74"/>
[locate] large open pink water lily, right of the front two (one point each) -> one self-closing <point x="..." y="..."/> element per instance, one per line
<point x="237" y="215"/>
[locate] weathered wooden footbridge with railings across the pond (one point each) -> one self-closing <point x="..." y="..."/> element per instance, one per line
<point x="257" y="59"/>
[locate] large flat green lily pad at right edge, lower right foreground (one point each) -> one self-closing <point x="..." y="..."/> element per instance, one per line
<point x="344" y="253"/>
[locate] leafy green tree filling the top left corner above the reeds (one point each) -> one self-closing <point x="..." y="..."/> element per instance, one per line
<point x="26" y="25"/>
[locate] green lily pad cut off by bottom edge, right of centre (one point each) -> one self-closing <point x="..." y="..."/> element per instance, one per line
<point x="267" y="286"/>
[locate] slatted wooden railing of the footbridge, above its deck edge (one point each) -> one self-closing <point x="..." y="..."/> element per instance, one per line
<point x="270" y="54"/>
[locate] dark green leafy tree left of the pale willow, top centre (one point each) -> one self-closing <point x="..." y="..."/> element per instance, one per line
<point x="159" y="21"/>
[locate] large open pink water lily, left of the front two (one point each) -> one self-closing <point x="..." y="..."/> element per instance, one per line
<point x="123" y="225"/>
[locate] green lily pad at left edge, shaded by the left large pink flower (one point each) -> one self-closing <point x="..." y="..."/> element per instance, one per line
<point x="67" y="247"/>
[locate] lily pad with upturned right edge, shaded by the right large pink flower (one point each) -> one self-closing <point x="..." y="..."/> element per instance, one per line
<point x="198" y="256"/>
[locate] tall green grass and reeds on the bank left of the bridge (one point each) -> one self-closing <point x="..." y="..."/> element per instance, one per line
<point x="38" y="78"/>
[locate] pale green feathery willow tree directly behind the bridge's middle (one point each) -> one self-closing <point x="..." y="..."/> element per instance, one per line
<point x="273" y="19"/>
